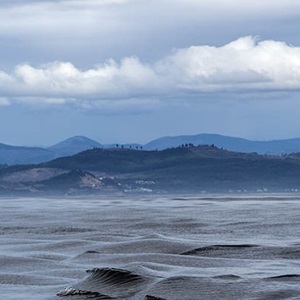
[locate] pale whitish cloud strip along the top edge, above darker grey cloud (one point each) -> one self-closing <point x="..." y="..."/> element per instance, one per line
<point x="82" y="19"/>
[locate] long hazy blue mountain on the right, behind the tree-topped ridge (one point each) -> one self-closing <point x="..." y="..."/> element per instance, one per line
<point x="274" y="147"/>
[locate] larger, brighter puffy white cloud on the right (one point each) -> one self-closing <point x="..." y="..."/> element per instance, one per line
<point x="241" y="64"/>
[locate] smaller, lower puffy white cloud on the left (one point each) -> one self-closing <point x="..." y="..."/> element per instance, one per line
<point x="63" y="78"/>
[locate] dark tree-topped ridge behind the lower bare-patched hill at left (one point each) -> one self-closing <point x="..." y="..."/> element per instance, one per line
<point x="190" y="168"/>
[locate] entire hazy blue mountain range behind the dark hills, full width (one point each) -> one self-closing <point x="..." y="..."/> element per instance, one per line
<point x="12" y="155"/>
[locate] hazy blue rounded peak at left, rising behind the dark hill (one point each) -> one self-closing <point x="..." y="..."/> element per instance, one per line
<point x="74" y="145"/>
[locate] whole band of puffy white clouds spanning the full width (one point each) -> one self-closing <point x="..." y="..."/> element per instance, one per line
<point x="244" y="65"/>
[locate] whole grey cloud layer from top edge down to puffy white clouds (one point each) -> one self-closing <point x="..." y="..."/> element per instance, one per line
<point x="85" y="31"/>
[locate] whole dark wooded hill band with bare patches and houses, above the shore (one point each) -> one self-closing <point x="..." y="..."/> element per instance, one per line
<point x="187" y="169"/>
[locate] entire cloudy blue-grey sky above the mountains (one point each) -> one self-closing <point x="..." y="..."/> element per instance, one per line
<point x="121" y="71"/>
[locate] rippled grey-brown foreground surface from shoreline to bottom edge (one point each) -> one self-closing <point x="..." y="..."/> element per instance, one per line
<point x="165" y="247"/>
